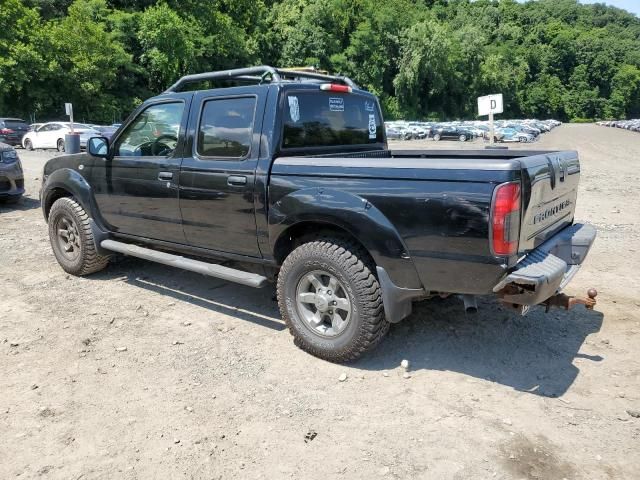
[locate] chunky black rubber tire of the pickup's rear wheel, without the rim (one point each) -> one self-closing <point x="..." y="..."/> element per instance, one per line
<point x="353" y="267"/>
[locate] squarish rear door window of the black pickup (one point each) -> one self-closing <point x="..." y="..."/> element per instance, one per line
<point x="226" y="127"/>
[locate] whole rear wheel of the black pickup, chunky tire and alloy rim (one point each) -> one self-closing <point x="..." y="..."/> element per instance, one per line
<point x="331" y="300"/>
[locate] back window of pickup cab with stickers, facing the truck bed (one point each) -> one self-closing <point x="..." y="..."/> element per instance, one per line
<point x="319" y="119"/>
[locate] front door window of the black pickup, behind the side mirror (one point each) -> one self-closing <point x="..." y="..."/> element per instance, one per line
<point x="154" y="132"/>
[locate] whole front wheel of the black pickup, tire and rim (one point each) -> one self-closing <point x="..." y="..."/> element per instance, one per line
<point x="72" y="239"/>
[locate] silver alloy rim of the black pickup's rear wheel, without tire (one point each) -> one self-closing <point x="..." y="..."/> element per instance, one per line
<point x="323" y="303"/>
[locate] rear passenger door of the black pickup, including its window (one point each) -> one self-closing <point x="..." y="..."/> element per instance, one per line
<point x="217" y="176"/>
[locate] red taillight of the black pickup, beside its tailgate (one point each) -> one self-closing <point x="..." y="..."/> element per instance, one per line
<point x="505" y="219"/>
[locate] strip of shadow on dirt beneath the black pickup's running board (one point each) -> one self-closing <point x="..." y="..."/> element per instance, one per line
<point x="245" y="303"/>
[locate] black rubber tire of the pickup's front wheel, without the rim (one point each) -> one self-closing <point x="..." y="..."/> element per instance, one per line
<point x="88" y="261"/>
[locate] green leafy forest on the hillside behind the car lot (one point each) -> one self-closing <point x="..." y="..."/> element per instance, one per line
<point x="425" y="59"/>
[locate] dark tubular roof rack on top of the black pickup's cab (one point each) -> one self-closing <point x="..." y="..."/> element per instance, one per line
<point x="262" y="74"/>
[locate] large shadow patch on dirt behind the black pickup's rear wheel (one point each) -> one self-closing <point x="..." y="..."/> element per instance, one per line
<point x="533" y="354"/>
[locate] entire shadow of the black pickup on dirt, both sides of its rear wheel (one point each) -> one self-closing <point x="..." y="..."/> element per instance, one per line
<point x="533" y="354"/>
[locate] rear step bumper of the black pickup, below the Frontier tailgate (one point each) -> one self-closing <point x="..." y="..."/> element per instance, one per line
<point x="549" y="268"/>
